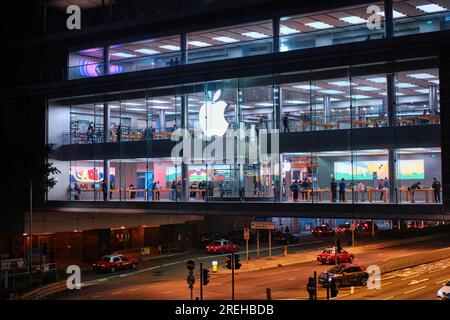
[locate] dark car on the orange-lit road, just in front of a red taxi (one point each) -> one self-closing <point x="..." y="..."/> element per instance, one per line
<point x="345" y="275"/>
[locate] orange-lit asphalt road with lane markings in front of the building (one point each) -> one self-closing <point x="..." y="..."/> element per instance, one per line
<point x="167" y="280"/>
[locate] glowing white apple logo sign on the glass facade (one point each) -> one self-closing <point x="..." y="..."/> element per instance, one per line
<point x="212" y="116"/>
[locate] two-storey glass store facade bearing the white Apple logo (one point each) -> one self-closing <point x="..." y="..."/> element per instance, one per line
<point x="161" y="144"/>
